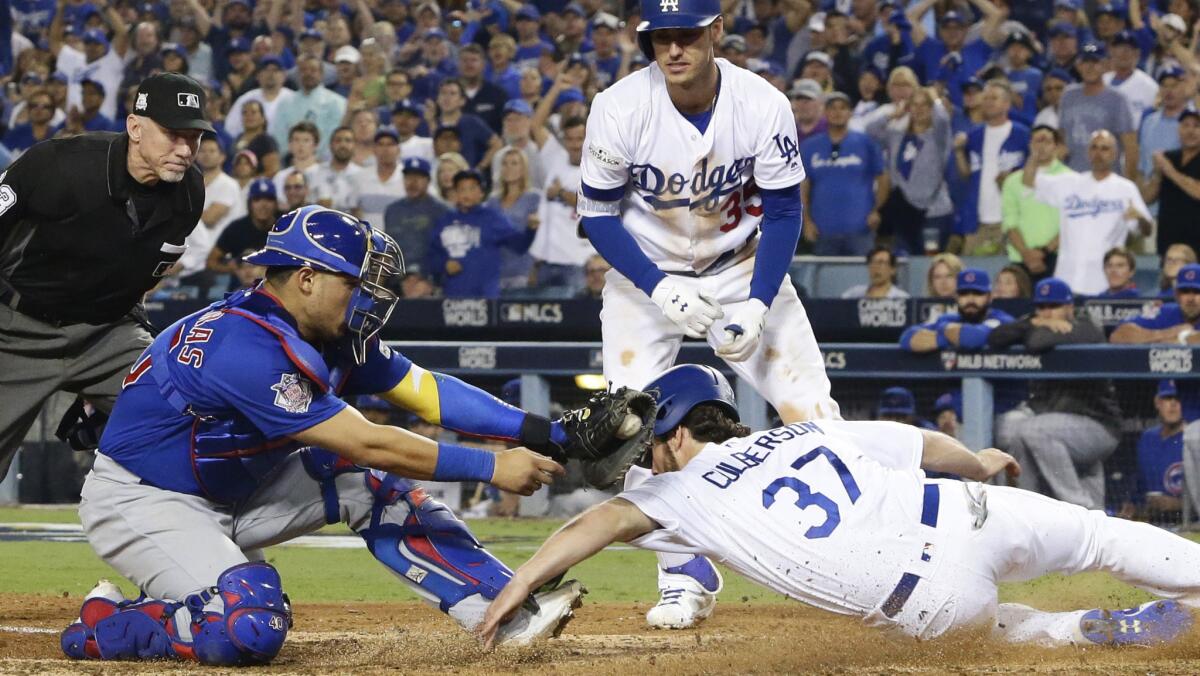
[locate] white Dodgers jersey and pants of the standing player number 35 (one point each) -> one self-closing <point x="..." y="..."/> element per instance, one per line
<point x="692" y="204"/>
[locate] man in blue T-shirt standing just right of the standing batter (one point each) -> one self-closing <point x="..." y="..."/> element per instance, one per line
<point x="848" y="184"/>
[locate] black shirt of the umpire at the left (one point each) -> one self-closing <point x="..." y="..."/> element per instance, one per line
<point x="81" y="241"/>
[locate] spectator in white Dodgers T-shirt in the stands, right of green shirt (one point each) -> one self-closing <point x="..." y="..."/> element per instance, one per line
<point x="1099" y="211"/>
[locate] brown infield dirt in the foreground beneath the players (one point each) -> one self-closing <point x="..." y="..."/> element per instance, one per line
<point x="603" y="639"/>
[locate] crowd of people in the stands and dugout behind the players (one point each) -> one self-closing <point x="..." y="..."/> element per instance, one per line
<point x="1061" y="135"/>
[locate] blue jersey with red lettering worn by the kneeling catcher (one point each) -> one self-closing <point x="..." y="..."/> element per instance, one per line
<point x="209" y="408"/>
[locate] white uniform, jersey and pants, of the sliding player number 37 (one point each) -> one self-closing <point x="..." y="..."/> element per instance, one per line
<point x="839" y="516"/>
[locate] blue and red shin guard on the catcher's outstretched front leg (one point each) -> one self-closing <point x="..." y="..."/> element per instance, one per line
<point x="430" y="549"/>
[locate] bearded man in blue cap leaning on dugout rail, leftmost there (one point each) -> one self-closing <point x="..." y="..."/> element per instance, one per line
<point x="967" y="330"/>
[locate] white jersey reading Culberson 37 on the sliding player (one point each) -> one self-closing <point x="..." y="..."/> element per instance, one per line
<point x="827" y="513"/>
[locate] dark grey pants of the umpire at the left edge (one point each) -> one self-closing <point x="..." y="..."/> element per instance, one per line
<point x="38" y="360"/>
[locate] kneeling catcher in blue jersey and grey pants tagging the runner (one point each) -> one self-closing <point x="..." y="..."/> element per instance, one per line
<point x="230" y="436"/>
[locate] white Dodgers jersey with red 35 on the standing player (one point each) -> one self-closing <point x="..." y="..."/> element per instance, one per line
<point x="685" y="196"/>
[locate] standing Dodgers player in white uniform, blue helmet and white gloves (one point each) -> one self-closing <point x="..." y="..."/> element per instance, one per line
<point x="691" y="190"/>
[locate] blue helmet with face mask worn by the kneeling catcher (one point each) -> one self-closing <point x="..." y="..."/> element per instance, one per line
<point x="333" y="242"/>
